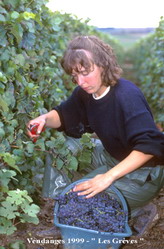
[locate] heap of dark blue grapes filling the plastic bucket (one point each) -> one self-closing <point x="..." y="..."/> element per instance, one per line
<point x="101" y="212"/>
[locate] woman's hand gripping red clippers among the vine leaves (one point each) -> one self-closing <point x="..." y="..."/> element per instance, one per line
<point x="40" y="123"/>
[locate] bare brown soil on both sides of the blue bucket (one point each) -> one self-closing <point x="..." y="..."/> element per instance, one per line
<point x="28" y="233"/>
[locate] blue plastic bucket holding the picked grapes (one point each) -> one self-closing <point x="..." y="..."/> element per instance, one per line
<point x="81" y="238"/>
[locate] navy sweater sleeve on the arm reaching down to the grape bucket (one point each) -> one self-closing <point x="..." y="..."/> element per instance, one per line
<point x="141" y="131"/>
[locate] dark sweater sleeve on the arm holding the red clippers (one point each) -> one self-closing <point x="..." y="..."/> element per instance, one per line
<point x="72" y="115"/>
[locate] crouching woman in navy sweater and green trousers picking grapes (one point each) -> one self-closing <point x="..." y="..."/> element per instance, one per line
<point x="130" y="154"/>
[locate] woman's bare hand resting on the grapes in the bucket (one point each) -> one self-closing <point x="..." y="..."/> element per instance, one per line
<point x="93" y="186"/>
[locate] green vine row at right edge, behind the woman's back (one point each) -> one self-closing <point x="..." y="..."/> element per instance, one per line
<point x="148" y="60"/>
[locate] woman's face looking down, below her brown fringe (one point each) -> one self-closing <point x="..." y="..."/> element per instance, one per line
<point x="91" y="81"/>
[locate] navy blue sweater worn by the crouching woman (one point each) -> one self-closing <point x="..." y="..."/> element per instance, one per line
<point x="121" y="119"/>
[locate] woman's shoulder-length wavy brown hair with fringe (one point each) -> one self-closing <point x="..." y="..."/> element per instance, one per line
<point x="101" y="54"/>
